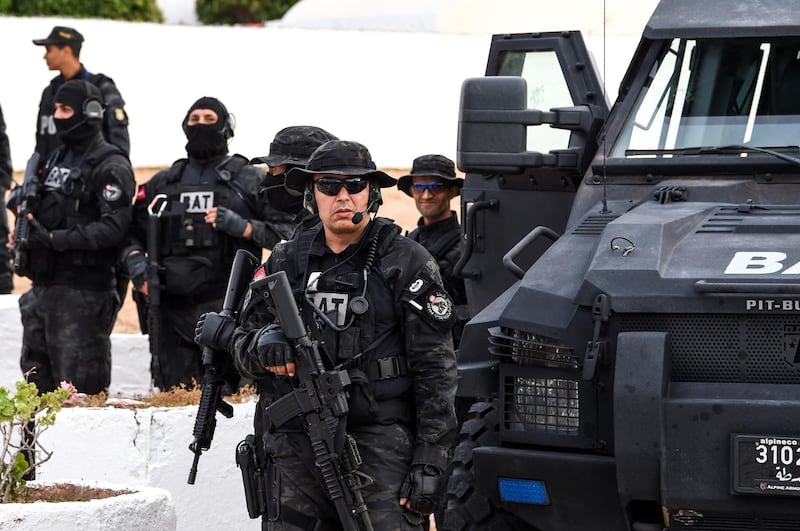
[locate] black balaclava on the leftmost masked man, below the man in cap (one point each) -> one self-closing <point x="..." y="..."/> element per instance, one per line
<point x="78" y="129"/>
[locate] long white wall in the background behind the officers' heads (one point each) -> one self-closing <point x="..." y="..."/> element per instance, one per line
<point x="396" y="92"/>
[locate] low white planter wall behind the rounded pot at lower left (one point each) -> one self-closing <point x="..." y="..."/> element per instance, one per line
<point x="150" y="447"/>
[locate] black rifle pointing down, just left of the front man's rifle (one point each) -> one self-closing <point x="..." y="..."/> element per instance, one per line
<point x="211" y="395"/>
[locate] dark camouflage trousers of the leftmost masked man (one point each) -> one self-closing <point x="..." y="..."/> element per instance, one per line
<point x="66" y="336"/>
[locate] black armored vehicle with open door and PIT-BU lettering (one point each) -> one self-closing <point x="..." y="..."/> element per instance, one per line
<point x="634" y="276"/>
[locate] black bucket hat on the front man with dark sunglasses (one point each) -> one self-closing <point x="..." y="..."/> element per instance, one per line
<point x="339" y="157"/>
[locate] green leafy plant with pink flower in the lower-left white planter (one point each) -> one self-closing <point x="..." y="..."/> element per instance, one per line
<point x="23" y="417"/>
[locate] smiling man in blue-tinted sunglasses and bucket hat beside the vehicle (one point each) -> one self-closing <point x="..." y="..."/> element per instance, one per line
<point x="432" y="184"/>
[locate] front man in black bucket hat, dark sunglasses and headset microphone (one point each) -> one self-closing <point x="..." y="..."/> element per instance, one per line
<point x="375" y="301"/>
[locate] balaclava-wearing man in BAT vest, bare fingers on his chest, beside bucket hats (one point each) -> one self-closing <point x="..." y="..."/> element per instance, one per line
<point x="203" y="207"/>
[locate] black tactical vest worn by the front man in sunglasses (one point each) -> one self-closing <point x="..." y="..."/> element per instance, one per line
<point x="381" y="386"/>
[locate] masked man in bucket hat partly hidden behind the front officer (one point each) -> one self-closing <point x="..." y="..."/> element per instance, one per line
<point x="290" y="148"/>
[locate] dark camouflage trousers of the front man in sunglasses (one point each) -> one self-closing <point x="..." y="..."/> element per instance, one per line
<point x="304" y="503"/>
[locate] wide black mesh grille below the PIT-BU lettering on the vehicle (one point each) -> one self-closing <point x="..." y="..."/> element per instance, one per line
<point x="727" y="348"/>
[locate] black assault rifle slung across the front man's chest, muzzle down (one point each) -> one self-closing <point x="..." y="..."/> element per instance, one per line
<point x="322" y="402"/>
